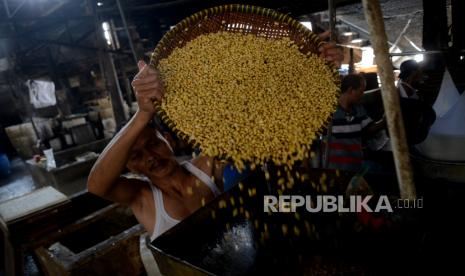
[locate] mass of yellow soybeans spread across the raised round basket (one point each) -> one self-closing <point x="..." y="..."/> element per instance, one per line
<point x="248" y="98"/>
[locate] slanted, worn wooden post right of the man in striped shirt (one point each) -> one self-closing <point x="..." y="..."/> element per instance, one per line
<point x="390" y="97"/>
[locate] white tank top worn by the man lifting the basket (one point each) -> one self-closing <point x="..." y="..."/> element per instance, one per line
<point x="163" y="221"/>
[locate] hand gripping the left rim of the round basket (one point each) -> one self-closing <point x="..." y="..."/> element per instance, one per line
<point x="147" y="87"/>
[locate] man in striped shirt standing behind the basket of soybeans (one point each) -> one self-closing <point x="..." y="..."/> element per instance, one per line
<point x="350" y="122"/>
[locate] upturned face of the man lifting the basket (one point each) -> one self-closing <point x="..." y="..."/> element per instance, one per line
<point x="151" y="156"/>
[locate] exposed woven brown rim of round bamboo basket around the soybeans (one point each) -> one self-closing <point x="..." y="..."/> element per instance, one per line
<point x="237" y="18"/>
